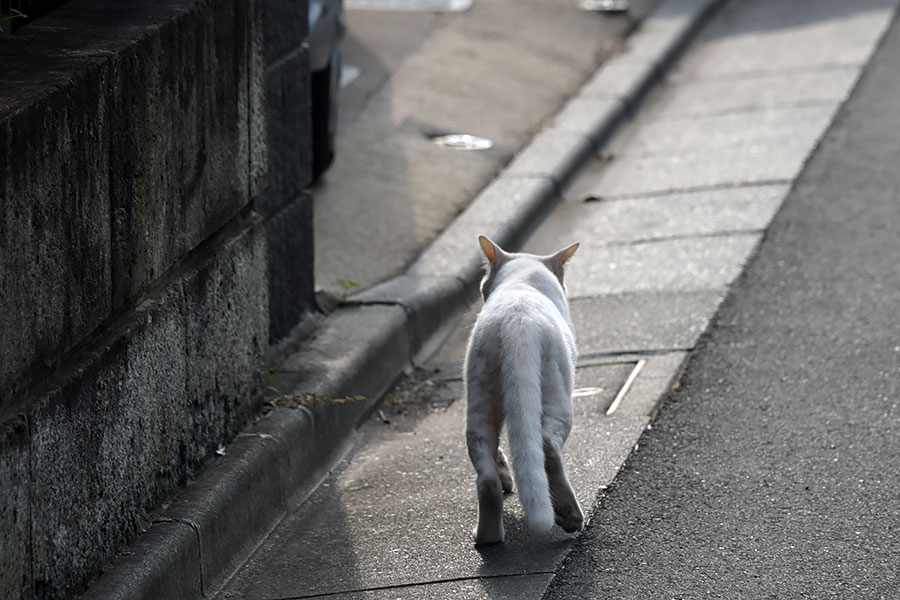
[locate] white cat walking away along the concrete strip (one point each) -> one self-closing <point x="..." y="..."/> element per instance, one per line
<point x="519" y="368"/>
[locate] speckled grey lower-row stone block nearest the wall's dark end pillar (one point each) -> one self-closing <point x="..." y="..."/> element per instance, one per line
<point x="226" y="327"/>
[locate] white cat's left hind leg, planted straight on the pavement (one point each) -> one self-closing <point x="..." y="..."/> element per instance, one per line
<point x="482" y="438"/>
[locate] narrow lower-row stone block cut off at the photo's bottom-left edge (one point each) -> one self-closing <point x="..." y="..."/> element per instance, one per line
<point x="15" y="511"/>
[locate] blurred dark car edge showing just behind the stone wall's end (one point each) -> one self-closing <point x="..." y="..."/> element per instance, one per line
<point x="326" y="30"/>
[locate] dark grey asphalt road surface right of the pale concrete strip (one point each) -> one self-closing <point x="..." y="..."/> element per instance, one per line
<point x="773" y="471"/>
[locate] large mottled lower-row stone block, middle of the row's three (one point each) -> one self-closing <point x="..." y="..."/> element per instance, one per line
<point x="107" y="444"/>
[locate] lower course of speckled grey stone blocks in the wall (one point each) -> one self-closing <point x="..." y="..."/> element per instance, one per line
<point x="140" y="409"/>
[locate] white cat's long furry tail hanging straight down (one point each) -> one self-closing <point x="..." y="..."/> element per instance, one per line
<point x="521" y="384"/>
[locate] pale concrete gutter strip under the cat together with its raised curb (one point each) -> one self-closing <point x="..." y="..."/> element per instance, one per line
<point x="667" y="218"/>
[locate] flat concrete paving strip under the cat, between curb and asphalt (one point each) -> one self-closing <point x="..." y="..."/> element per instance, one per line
<point x="667" y="222"/>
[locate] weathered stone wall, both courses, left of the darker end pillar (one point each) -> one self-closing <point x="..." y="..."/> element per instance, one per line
<point x="134" y="317"/>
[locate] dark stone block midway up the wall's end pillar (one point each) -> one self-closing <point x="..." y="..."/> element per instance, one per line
<point x="288" y="131"/>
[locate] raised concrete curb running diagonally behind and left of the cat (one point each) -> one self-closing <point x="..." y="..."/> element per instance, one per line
<point x="192" y="549"/>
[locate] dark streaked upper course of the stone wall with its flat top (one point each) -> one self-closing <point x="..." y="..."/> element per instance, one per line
<point x="124" y="143"/>
